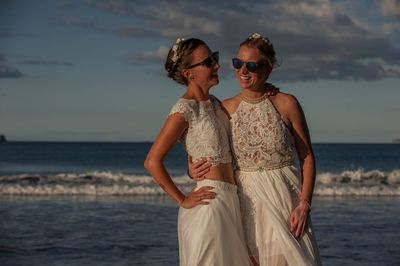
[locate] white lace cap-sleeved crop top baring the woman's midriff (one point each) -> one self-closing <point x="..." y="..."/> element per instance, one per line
<point x="207" y="135"/>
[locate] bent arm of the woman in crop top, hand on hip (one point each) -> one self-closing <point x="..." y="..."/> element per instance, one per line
<point x="173" y="128"/>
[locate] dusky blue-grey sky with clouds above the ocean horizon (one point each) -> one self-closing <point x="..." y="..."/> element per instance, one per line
<point x="92" y="70"/>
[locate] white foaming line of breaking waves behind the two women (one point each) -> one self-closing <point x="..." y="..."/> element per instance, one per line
<point x="346" y="183"/>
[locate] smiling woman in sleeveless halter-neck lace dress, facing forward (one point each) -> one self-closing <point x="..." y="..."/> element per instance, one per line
<point x="266" y="135"/>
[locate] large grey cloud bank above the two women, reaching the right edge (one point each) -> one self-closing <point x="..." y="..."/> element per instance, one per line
<point x="315" y="39"/>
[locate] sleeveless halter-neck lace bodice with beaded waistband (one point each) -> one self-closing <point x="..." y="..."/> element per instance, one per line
<point x="260" y="138"/>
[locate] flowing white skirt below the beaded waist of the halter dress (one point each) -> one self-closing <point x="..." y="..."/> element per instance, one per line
<point x="267" y="198"/>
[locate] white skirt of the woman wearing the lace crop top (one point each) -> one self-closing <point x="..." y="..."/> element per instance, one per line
<point x="213" y="234"/>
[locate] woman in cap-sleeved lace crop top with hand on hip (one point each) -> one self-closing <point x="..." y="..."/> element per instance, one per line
<point x="210" y="231"/>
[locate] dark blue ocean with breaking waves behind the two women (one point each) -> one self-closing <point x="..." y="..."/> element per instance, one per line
<point x="87" y="203"/>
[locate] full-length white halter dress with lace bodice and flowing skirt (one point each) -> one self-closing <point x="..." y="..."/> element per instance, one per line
<point x="269" y="185"/>
